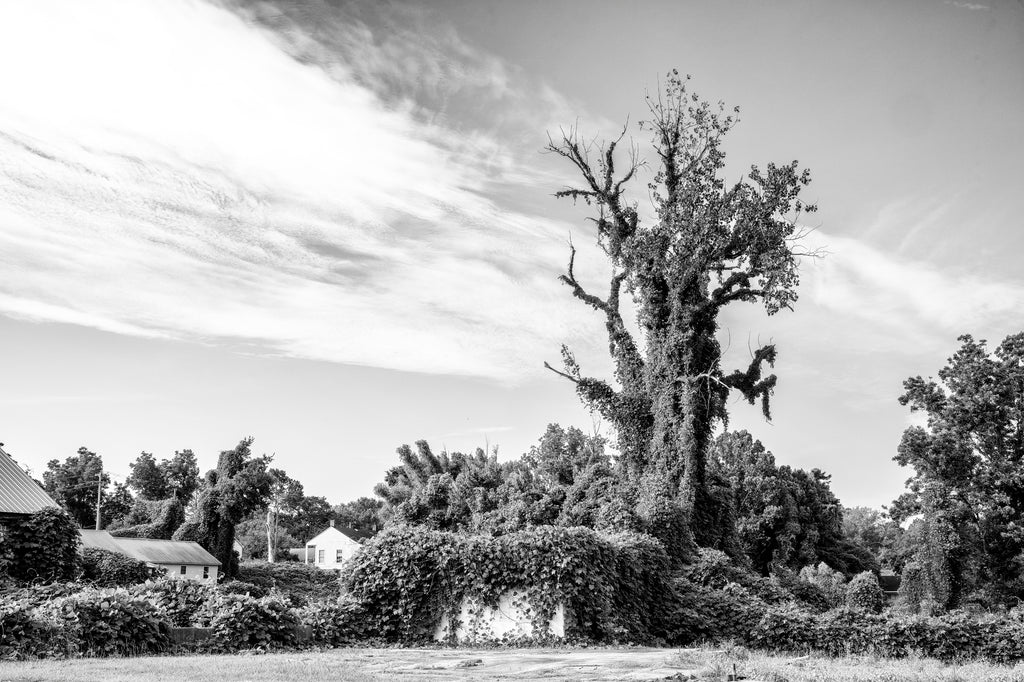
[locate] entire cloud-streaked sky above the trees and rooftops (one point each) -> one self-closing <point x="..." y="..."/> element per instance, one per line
<point x="331" y="226"/>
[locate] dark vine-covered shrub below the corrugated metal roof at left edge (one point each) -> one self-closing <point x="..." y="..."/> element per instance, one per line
<point x="41" y="547"/>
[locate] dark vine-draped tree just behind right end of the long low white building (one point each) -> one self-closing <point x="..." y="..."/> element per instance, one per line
<point x="240" y="486"/>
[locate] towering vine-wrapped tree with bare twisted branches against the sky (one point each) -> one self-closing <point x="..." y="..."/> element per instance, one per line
<point x="710" y="246"/>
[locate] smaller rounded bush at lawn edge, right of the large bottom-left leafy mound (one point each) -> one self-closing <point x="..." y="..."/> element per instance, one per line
<point x="241" y="622"/>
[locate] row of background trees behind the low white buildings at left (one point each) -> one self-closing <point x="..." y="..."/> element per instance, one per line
<point x="245" y="498"/>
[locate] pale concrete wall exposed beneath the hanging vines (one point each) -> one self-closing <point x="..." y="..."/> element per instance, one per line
<point x="511" y="619"/>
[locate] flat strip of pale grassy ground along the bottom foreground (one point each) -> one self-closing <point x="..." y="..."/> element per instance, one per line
<point x="358" y="665"/>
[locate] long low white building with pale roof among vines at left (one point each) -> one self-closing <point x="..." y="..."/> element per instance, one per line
<point x="181" y="561"/>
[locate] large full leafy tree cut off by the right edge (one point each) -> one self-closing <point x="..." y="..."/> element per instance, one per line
<point x="969" y="474"/>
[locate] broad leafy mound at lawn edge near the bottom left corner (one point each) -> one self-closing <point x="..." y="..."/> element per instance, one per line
<point x="108" y="622"/>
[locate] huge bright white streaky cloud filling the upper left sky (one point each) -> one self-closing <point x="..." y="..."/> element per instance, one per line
<point x="167" y="169"/>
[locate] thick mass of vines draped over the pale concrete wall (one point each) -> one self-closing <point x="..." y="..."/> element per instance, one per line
<point x="615" y="587"/>
